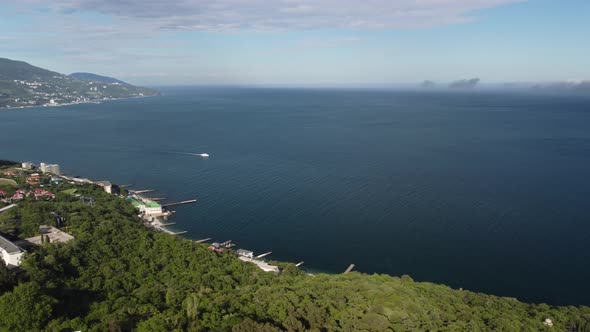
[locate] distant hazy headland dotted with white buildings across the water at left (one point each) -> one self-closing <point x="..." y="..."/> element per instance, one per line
<point x="22" y="84"/>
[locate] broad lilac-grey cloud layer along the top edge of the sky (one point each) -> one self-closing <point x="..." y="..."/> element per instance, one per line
<point x="263" y="15"/>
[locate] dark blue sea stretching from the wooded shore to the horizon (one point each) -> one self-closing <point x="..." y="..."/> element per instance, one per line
<point x="487" y="191"/>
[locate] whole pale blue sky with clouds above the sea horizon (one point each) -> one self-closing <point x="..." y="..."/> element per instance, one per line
<point x="302" y="42"/>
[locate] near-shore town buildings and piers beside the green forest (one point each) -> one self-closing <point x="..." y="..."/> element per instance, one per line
<point x="40" y="182"/>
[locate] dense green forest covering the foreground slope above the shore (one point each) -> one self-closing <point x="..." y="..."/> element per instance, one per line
<point x="119" y="276"/>
